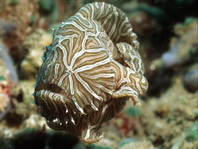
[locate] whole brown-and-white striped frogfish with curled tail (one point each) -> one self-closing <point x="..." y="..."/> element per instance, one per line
<point x="89" y="71"/>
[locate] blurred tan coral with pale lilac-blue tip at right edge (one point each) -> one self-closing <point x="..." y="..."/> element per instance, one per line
<point x="183" y="49"/>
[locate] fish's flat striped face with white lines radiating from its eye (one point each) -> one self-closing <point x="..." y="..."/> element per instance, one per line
<point x="76" y="70"/>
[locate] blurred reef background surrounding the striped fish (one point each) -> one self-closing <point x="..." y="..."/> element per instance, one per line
<point x="167" y="31"/>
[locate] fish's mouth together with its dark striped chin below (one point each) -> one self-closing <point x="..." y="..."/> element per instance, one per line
<point x="51" y="100"/>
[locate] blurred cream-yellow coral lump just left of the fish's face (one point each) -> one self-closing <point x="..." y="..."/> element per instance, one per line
<point x="35" y="44"/>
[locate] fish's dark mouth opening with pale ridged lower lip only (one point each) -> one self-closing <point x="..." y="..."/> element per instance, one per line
<point x="49" y="92"/>
